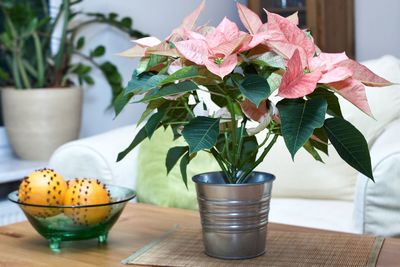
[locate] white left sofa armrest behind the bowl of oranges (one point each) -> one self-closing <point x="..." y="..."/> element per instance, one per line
<point x="95" y="157"/>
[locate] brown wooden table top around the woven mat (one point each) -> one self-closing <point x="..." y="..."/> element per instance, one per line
<point x="139" y="224"/>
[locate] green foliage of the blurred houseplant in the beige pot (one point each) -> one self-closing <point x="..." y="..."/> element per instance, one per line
<point x="26" y="45"/>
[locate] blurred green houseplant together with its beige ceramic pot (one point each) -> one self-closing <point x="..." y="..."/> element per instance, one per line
<point x="40" y="120"/>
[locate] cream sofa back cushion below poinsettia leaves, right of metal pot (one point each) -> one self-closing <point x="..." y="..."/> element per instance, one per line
<point x="307" y="178"/>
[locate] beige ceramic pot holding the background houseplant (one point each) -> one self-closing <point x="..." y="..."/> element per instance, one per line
<point x="38" y="121"/>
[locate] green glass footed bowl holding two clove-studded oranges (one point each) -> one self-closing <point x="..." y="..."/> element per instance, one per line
<point x="60" y="225"/>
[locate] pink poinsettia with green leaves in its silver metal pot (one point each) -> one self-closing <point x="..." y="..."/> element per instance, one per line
<point x="219" y="87"/>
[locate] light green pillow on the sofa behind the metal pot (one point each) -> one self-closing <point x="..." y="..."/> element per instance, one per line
<point x="154" y="186"/>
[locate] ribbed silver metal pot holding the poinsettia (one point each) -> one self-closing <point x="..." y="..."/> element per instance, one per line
<point x="234" y="216"/>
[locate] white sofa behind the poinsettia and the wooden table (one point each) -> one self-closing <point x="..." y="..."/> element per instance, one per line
<point x="306" y="193"/>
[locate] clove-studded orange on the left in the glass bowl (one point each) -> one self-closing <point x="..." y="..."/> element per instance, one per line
<point x="42" y="187"/>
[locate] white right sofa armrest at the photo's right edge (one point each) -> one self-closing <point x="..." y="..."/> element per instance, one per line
<point x="377" y="205"/>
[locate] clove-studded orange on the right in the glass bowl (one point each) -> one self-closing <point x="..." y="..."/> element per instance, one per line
<point x="82" y="192"/>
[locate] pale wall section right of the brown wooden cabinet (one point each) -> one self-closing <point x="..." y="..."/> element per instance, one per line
<point x="377" y="26"/>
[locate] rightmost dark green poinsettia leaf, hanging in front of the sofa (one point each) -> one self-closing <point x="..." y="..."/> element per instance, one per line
<point x="350" y="144"/>
